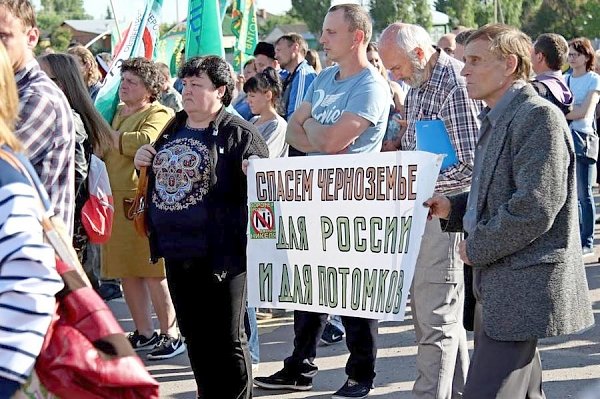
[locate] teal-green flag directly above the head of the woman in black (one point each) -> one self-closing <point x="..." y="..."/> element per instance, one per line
<point x="204" y="35"/>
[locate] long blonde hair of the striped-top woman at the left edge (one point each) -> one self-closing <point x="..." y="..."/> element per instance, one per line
<point x="9" y="105"/>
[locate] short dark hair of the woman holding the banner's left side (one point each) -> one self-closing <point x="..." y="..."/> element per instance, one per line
<point x="215" y="68"/>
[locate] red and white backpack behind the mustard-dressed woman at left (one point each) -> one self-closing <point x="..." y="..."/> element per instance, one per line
<point x="98" y="210"/>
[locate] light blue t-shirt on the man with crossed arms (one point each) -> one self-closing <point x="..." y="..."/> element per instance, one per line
<point x="365" y="94"/>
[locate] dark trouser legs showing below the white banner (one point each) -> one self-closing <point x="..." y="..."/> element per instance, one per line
<point x="361" y="340"/>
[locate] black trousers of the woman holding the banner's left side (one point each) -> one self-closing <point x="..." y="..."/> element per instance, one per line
<point x="210" y="314"/>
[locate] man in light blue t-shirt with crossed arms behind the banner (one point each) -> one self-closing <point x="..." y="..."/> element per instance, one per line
<point x="344" y="111"/>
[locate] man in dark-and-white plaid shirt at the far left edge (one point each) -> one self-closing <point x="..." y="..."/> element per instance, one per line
<point x="45" y="125"/>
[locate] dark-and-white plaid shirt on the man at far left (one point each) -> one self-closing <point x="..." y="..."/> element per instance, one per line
<point x="45" y="128"/>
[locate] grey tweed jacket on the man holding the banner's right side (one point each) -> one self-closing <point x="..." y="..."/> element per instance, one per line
<point x="526" y="241"/>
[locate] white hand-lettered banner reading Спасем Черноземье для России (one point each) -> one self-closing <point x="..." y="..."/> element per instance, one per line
<point x="337" y="234"/>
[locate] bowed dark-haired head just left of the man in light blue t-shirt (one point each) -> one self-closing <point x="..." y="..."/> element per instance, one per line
<point x="263" y="90"/>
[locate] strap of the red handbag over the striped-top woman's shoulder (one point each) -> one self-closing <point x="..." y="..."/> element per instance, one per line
<point x="54" y="228"/>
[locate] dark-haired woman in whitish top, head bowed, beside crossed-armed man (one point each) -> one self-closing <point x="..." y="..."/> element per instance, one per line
<point x="263" y="91"/>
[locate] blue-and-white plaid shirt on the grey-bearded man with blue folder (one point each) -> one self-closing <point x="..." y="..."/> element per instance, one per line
<point x="445" y="97"/>
